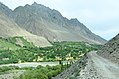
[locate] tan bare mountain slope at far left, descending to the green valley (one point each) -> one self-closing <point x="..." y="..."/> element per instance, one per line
<point x="8" y="28"/>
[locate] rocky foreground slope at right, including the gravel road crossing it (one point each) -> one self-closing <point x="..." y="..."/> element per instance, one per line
<point x="101" y="64"/>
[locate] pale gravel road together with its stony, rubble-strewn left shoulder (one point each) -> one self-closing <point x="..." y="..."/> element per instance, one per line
<point x="99" y="68"/>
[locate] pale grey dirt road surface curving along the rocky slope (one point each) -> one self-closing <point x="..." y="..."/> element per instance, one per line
<point x="103" y="68"/>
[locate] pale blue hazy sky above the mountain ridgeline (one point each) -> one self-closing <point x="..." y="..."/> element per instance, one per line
<point x="100" y="16"/>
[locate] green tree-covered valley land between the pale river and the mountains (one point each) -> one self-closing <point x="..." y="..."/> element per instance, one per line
<point x="24" y="51"/>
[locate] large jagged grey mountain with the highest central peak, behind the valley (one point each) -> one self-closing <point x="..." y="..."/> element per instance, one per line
<point x="49" y="23"/>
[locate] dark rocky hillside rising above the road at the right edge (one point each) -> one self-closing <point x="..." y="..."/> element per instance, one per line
<point x="111" y="50"/>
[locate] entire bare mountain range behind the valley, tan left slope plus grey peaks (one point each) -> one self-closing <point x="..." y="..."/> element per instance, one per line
<point x="40" y="24"/>
